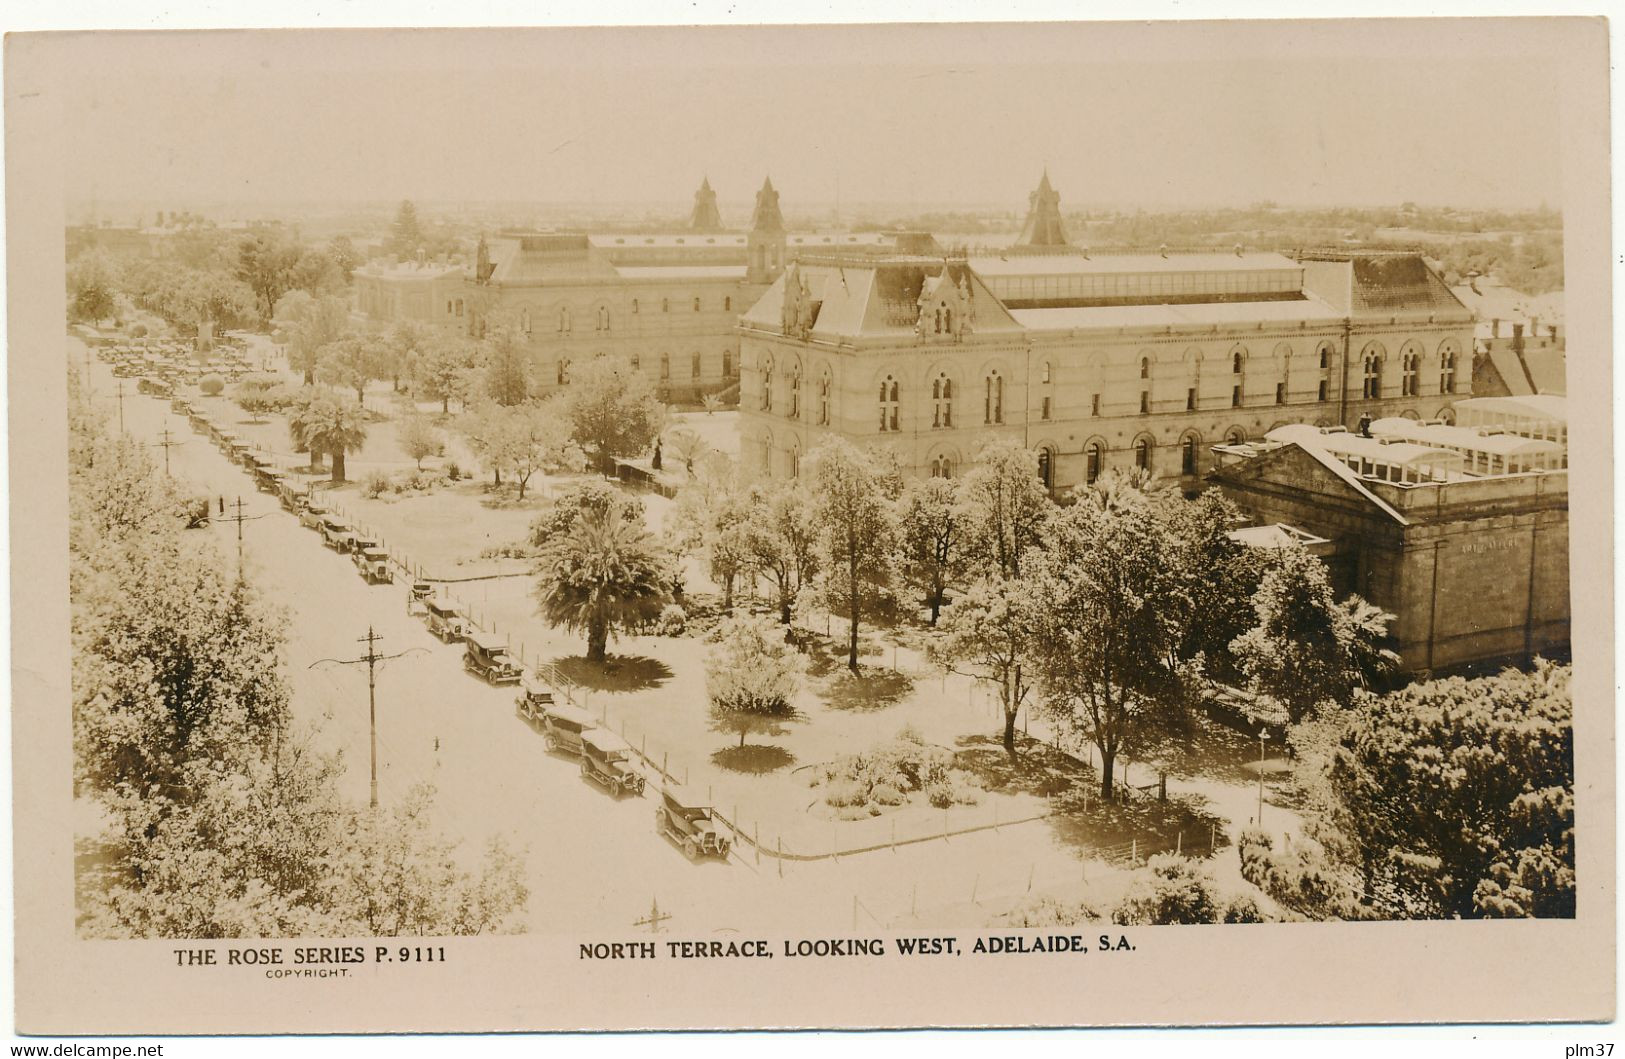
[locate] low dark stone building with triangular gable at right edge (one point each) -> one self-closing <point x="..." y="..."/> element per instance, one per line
<point x="1462" y="535"/>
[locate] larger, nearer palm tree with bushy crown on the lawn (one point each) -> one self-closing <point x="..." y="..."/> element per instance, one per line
<point x="604" y="576"/>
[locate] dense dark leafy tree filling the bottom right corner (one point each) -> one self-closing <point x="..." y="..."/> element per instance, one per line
<point x="1457" y="797"/>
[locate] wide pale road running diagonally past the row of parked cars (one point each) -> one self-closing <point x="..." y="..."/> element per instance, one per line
<point x="594" y="863"/>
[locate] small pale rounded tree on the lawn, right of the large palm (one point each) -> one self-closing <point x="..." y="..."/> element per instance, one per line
<point x="752" y="676"/>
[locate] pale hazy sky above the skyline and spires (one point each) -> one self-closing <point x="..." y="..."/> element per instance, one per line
<point x="1122" y="116"/>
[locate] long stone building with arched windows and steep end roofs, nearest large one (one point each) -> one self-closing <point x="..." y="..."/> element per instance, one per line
<point x="1091" y="360"/>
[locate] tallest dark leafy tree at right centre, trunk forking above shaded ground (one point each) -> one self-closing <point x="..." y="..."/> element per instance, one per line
<point x="1106" y="610"/>
